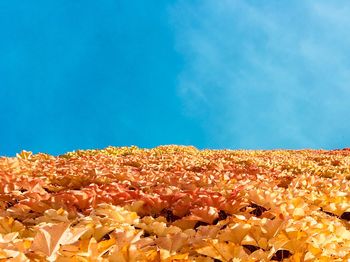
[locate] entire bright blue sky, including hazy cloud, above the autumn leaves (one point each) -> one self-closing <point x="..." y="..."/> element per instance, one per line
<point x="213" y="74"/>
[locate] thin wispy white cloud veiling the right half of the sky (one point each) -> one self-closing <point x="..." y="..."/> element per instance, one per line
<point x="266" y="75"/>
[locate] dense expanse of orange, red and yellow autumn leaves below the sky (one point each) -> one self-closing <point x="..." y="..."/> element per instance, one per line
<point x="174" y="203"/>
